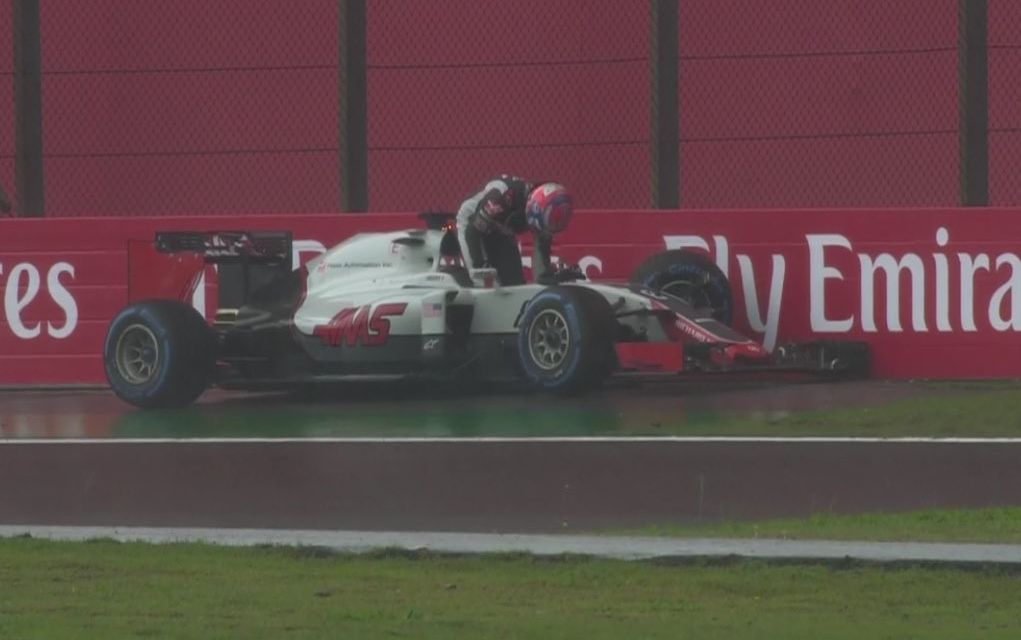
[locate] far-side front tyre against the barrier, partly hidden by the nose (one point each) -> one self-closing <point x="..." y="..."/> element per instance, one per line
<point x="691" y="277"/>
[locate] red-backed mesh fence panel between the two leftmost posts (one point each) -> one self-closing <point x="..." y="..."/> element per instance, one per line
<point x="189" y="107"/>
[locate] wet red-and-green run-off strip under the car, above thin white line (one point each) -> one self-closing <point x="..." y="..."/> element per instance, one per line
<point x="380" y="412"/>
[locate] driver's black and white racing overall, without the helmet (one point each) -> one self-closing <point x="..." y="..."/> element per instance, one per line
<point x="489" y="224"/>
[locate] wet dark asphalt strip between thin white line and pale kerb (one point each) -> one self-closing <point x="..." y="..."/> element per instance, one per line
<point x="510" y="486"/>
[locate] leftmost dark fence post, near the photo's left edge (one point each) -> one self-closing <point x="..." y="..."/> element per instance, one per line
<point x="28" y="109"/>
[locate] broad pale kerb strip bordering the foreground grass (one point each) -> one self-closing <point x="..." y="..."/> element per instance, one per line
<point x="633" y="549"/>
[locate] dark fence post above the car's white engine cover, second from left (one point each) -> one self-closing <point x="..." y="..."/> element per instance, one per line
<point x="353" y="117"/>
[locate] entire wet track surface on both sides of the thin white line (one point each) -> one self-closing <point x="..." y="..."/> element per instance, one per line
<point x="415" y="461"/>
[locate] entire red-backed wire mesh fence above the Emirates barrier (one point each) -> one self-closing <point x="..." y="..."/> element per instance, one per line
<point x="236" y="107"/>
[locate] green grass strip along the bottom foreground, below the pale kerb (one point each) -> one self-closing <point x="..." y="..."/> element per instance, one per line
<point x="105" y="589"/>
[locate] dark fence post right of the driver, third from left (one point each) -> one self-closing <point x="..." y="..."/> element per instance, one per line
<point x="666" y="139"/>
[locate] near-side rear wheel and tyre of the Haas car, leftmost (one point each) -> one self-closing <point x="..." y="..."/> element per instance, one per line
<point x="160" y="355"/>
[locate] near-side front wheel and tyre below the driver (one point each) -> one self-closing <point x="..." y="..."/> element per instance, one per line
<point x="566" y="340"/>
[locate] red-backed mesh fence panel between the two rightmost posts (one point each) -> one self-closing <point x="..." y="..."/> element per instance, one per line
<point x="801" y="104"/>
